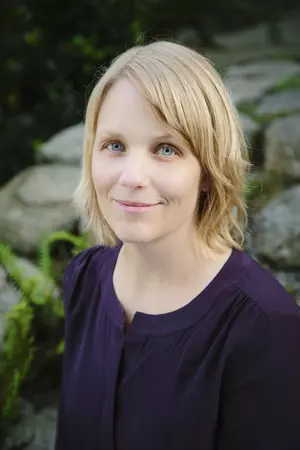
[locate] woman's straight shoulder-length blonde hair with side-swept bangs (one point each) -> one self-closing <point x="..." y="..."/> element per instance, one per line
<point x="188" y="96"/>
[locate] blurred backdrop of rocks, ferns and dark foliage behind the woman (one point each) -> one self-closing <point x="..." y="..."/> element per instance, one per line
<point x="51" y="55"/>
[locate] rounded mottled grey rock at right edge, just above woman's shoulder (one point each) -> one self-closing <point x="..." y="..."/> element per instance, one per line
<point x="277" y="230"/>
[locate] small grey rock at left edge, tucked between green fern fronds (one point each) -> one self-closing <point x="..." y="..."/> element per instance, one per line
<point x="9" y="296"/>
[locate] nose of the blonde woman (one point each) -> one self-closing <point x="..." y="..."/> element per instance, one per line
<point x="134" y="171"/>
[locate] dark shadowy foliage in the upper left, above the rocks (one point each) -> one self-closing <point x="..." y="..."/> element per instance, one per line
<point x="47" y="69"/>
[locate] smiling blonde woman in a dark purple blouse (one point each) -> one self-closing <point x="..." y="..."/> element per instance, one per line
<point x="175" y="338"/>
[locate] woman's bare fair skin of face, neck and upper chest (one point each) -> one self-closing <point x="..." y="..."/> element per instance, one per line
<point x="137" y="161"/>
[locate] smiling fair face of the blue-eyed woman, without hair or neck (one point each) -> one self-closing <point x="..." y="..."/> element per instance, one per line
<point x="147" y="181"/>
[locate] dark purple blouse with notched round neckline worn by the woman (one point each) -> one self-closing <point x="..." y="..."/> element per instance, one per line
<point x="221" y="373"/>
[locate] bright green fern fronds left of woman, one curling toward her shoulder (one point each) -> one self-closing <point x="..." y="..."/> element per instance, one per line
<point x="40" y="307"/>
